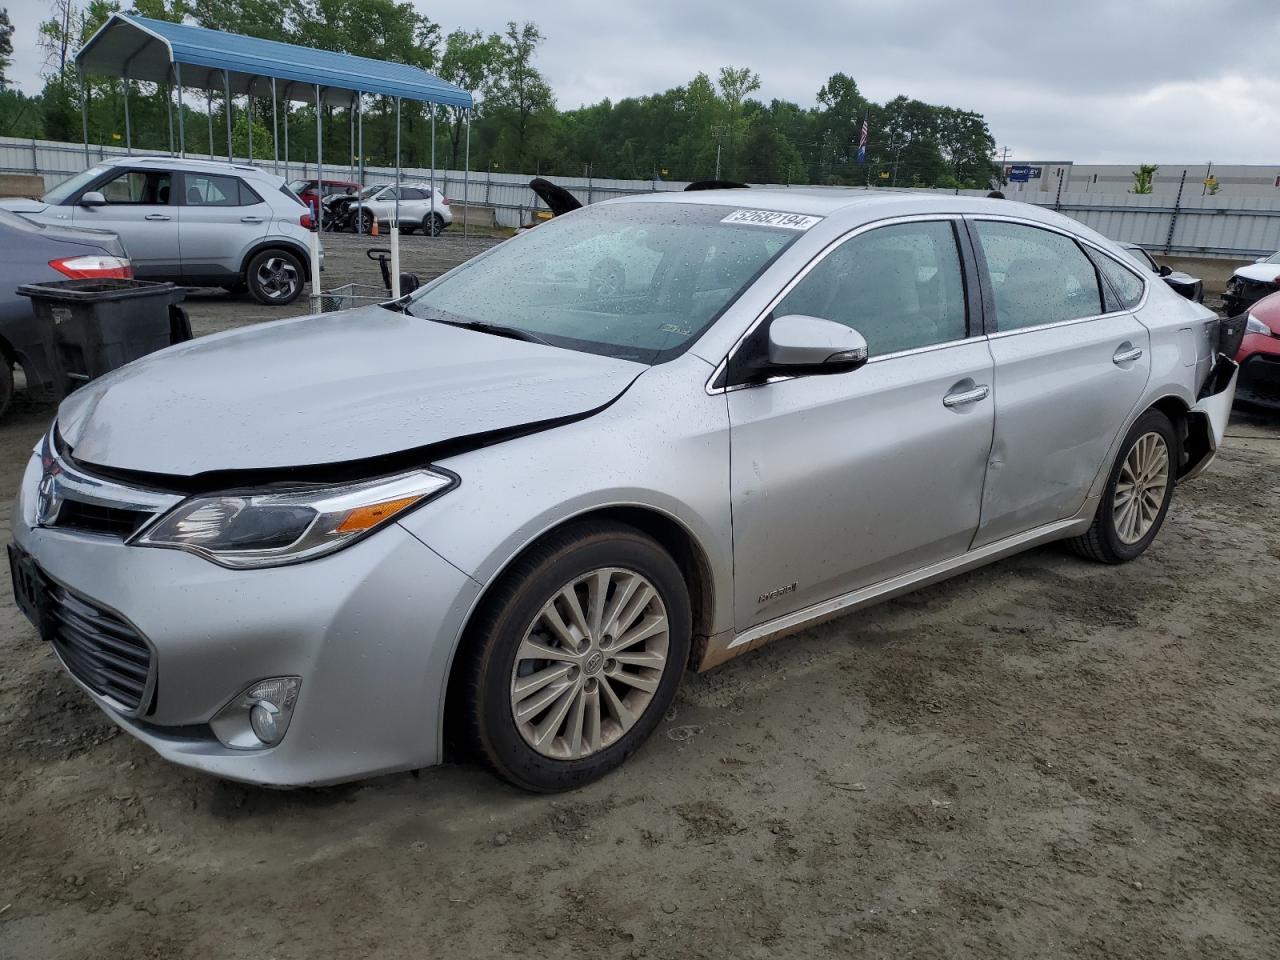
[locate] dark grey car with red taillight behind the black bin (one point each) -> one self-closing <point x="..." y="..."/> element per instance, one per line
<point x="36" y="253"/>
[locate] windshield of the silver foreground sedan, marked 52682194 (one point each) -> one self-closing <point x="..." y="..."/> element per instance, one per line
<point x="629" y="281"/>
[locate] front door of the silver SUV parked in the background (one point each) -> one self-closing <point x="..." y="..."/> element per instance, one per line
<point x="143" y="211"/>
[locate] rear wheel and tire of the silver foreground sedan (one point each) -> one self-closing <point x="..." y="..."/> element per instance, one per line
<point x="1121" y="534"/>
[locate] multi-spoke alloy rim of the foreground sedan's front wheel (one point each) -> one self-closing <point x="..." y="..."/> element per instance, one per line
<point x="591" y="664"/>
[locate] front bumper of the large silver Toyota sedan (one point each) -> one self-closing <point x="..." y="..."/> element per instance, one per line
<point x="371" y="632"/>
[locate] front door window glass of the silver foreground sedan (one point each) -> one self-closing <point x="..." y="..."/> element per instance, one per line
<point x="902" y="287"/>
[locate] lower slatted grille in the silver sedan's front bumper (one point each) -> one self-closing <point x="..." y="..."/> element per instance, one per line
<point x="99" y="648"/>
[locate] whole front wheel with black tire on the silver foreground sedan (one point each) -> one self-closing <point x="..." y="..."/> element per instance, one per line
<point x="504" y="712"/>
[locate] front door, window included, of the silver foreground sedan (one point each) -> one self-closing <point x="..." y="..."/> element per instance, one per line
<point x="840" y="482"/>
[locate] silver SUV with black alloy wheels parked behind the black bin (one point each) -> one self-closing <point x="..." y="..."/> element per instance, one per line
<point x="199" y="223"/>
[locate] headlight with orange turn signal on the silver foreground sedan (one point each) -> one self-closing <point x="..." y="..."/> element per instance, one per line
<point x="272" y="529"/>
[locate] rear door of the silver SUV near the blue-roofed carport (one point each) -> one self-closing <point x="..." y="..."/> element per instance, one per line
<point x="222" y="218"/>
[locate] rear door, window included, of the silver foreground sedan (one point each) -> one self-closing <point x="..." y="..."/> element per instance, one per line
<point x="1071" y="368"/>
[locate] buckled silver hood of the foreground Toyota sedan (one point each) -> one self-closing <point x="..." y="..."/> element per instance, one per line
<point x="327" y="390"/>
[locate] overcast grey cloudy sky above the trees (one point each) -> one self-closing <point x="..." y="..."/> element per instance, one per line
<point x="1094" y="81"/>
